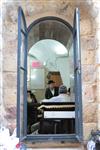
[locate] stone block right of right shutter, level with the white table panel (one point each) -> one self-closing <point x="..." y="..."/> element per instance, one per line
<point x="90" y="113"/>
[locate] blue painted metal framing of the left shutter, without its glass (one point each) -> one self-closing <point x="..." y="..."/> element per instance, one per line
<point x="22" y="31"/>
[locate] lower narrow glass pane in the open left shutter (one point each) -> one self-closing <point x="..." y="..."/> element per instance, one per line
<point x="21" y="102"/>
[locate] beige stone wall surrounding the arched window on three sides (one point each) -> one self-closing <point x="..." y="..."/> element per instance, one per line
<point x="90" y="47"/>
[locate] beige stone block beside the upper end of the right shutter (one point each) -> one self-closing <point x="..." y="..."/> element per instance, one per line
<point x="85" y="27"/>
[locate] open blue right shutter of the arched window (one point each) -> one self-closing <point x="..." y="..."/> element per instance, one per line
<point x="77" y="71"/>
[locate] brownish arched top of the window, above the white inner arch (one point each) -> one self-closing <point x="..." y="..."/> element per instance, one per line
<point x="51" y="28"/>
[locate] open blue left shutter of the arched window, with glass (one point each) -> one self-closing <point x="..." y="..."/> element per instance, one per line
<point x="21" y="76"/>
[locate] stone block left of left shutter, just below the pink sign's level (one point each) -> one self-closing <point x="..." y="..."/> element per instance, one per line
<point x="10" y="80"/>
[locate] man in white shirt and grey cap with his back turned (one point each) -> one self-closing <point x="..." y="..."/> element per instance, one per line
<point x="62" y="97"/>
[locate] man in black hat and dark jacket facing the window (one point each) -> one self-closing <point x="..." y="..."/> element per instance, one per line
<point x="51" y="91"/>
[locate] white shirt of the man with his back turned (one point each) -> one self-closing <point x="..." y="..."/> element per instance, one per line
<point x="59" y="98"/>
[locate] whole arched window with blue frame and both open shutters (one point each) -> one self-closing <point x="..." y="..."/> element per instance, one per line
<point x="52" y="47"/>
